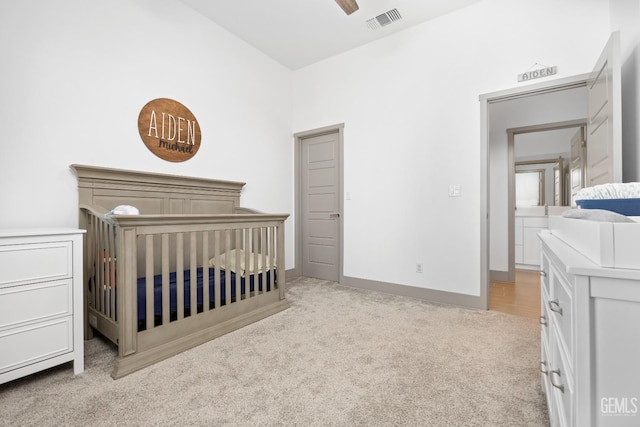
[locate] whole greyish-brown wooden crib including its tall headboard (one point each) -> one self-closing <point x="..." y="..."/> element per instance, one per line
<point x="191" y="267"/>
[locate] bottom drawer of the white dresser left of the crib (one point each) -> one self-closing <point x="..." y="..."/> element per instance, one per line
<point x="34" y="343"/>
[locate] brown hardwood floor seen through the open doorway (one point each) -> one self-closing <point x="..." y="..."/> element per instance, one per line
<point x="520" y="298"/>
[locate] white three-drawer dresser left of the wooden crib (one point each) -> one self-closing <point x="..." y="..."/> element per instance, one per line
<point x="40" y="301"/>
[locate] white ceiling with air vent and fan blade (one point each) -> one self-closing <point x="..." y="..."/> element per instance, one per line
<point x="297" y="33"/>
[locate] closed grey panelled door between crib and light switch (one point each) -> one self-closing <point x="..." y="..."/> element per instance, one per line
<point x="320" y="183"/>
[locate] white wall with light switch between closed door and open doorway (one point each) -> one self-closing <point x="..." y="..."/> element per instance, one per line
<point x="412" y="127"/>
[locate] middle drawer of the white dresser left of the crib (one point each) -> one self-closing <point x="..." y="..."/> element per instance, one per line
<point x="32" y="303"/>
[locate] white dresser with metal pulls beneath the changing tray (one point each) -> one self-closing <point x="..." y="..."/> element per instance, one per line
<point x="590" y="339"/>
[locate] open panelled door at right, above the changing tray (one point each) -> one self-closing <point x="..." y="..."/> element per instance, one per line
<point x="604" y="127"/>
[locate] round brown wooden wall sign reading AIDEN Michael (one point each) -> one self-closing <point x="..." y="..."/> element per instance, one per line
<point x="169" y="130"/>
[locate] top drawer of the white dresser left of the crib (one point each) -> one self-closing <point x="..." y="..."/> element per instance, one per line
<point x="35" y="262"/>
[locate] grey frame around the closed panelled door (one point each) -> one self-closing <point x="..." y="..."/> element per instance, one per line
<point x="298" y="233"/>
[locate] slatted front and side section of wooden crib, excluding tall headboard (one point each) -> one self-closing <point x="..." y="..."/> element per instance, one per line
<point x="160" y="284"/>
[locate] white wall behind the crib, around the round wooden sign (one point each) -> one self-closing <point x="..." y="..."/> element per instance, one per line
<point x="75" y="75"/>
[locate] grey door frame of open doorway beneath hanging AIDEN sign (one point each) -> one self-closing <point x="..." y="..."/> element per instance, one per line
<point x="485" y="100"/>
